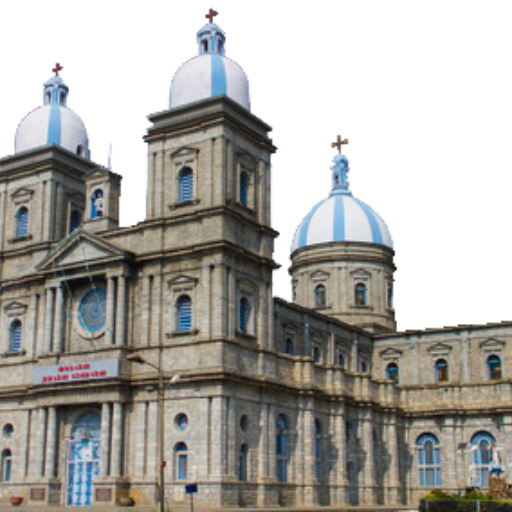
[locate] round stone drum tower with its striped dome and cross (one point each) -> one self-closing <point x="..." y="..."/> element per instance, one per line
<point x="342" y="257"/>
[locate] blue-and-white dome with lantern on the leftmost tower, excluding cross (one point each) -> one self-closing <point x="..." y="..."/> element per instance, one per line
<point x="53" y="123"/>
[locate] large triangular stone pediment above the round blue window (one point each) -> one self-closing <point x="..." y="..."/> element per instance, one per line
<point x="80" y="250"/>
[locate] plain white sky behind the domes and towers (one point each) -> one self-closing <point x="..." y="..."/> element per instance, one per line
<point x="422" y="89"/>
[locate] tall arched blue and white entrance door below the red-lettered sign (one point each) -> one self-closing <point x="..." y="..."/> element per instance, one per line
<point x="83" y="460"/>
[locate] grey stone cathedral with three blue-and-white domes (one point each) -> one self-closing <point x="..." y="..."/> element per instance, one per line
<point x="138" y="360"/>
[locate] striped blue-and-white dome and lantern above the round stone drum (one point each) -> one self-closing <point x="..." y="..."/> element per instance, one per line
<point x="341" y="217"/>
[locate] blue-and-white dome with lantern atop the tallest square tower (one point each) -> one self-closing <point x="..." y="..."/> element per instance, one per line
<point x="210" y="73"/>
